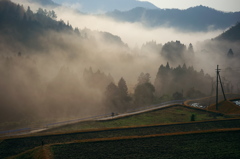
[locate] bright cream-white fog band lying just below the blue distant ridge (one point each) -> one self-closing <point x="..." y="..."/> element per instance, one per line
<point x="134" y="34"/>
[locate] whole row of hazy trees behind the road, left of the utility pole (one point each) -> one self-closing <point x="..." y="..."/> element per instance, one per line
<point x="170" y="84"/>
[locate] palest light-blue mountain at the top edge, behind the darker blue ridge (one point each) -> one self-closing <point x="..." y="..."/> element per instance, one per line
<point x="102" y="6"/>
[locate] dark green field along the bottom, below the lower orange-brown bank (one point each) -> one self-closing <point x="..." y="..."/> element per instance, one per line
<point x="205" y="145"/>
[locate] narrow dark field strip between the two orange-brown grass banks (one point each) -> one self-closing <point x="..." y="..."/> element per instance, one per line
<point x="14" y="146"/>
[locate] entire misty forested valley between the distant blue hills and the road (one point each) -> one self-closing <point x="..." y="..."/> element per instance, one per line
<point x="58" y="64"/>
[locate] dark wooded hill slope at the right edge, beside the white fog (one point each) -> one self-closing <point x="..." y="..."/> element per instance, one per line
<point x="233" y="34"/>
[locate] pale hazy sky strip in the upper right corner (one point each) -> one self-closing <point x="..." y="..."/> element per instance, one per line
<point x="223" y="5"/>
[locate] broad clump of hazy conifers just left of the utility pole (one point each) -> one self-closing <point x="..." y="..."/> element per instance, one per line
<point x="170" y="80"/>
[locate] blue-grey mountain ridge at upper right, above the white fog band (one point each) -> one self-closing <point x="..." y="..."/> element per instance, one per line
<point x="198" y="18"/>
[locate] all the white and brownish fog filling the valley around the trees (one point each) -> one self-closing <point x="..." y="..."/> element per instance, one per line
<point x="46" y="82"/>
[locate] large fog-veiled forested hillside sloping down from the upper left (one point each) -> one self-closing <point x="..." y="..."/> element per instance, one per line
<point x="42" y="63"/>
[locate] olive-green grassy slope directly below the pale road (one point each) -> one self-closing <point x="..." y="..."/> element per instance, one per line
<point x="161" y="116"/>
